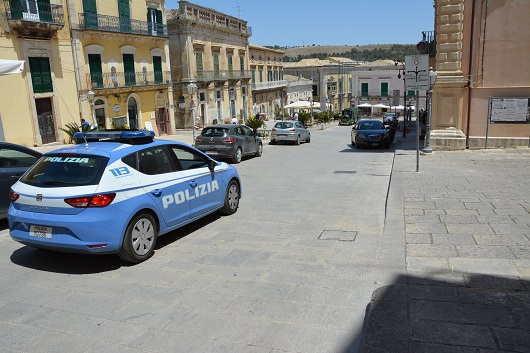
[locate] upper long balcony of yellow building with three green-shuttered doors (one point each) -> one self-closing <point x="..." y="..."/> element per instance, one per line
<point x="95" y="22"/>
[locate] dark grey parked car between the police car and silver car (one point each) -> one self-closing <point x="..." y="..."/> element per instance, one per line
<point x="229" y="141"/>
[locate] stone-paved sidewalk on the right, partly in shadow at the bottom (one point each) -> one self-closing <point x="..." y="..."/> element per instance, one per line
<point x="457" y="241"/>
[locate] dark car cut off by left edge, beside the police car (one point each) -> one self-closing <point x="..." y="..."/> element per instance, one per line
<point x="14" y="161"/>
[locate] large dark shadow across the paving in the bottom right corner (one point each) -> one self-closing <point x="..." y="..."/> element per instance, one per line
<point x="452" y="313"/>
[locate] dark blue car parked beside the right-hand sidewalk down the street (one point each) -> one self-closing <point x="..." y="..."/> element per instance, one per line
<point x="371" y="133"/>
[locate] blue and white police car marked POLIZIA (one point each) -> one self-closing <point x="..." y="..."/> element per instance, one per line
<point x="116" y="192"/>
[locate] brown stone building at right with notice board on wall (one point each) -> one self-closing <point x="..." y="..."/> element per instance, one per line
<point x="481" y="51"/>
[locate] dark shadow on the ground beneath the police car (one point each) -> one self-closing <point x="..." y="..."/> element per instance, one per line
<point x="71" y="263"/>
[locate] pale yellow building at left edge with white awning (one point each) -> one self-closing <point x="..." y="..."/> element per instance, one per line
<point x="35" y="102"/>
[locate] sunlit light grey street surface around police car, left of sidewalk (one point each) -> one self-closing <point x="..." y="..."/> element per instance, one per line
<point x="292" y="271"/>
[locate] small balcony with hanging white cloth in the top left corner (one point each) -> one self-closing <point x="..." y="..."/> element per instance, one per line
<point x="34" y="18"/>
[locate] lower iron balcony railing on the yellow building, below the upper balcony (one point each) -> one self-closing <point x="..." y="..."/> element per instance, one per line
<point x="108" y="80"/>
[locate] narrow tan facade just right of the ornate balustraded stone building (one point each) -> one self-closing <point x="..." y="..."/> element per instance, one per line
<point x="268" y="84"/>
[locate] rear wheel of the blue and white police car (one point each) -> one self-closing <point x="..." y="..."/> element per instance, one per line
<point x="140" y="239"/>
